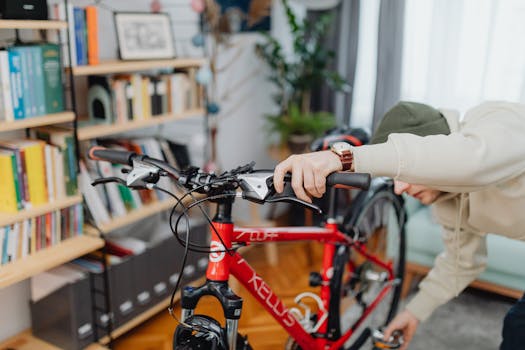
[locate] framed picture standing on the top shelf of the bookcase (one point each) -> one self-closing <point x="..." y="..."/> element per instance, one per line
<point x="143" y="36"/>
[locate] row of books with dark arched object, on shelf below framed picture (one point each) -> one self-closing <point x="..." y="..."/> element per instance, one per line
<point x="139" y="97"/>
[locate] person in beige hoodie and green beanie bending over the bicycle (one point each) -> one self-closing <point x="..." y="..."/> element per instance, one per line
<point x="473" y="172"/>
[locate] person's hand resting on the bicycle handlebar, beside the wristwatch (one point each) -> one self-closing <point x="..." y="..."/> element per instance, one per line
<point x="309" y="172"/>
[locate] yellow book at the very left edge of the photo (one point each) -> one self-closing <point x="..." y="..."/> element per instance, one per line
<point x="8" y="195"/>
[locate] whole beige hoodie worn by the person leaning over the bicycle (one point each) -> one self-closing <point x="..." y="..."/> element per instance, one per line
<point x="482" y="166"/>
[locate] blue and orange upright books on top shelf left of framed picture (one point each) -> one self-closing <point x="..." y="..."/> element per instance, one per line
<point x="83" y="33"/>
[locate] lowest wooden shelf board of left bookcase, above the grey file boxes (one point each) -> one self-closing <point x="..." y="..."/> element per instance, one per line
<point x="45" y="259"/>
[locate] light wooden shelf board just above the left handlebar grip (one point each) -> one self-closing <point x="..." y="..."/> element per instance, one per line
<point x="101" y="130"/>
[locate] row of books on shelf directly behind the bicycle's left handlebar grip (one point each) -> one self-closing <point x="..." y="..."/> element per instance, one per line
<point x="114" y="200"/>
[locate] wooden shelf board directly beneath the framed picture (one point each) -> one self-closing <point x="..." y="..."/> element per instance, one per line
<point x="109" y="67"/>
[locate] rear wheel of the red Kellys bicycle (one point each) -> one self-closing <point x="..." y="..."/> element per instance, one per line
<point x="377" y="219"/>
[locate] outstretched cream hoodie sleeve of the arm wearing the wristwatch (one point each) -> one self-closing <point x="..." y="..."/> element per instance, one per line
<point x="488" y="149"/>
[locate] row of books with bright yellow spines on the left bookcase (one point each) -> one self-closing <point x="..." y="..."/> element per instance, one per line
<point x="38" y="170"/>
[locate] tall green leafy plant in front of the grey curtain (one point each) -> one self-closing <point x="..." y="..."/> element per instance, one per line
<point x="296" y="75"/>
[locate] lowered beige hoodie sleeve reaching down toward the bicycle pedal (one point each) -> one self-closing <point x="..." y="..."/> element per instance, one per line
<point x="462" y="261"/>
